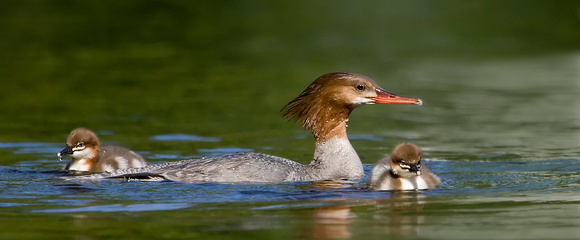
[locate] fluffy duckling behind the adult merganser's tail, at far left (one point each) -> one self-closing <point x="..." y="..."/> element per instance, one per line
<point x="89" y="156"/>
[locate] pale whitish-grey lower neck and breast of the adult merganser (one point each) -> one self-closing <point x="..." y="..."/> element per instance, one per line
<point x="336" y="158"/>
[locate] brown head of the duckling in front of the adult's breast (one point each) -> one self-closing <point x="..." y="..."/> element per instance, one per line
<point x="406" y="160"/>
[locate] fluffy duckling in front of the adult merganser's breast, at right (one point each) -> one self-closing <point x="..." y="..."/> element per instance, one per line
<point x="403" y="170"/>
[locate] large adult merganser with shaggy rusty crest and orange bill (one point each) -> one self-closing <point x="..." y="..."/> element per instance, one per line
<point x="323" y="108"/>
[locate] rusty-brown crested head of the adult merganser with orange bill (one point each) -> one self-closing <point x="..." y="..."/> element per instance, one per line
<point x="328" y="101"/>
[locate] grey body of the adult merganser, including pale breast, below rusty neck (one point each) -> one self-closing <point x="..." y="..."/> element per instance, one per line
<point x="335" y="159"/>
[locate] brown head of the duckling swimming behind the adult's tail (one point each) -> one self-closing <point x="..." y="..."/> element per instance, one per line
<point x="80" y="143"/>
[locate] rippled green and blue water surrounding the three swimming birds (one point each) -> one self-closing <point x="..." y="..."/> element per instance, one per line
<point x="500" y="122"/>
